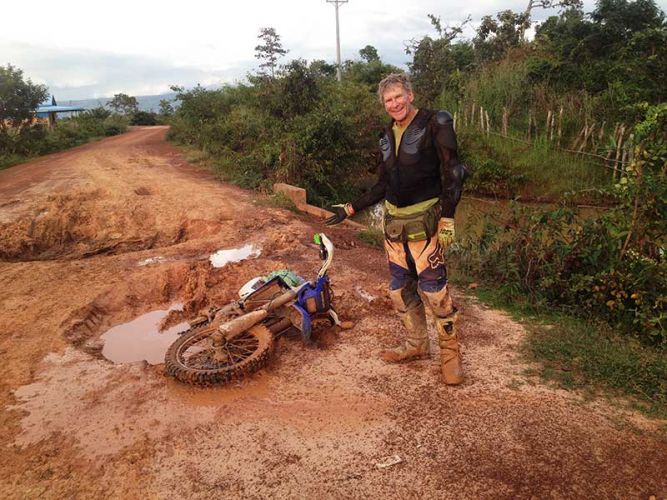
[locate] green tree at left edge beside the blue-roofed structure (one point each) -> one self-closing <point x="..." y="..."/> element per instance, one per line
<point x="19" y="98"/>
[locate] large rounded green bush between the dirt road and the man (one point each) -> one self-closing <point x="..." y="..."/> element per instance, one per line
<point x="324" y="141"/>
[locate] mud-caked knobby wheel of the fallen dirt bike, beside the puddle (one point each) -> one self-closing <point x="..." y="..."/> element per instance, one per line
<point x="194" y="359"/>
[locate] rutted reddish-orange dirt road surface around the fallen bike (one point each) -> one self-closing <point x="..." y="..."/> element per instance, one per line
<point x="99" y="235"/>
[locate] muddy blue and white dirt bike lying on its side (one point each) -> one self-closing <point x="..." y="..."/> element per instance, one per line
<point x="236" y="340"/>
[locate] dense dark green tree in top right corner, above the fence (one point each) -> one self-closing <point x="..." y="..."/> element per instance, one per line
<point x="620" y="49"/>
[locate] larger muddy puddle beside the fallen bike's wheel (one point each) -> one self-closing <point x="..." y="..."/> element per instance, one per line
<point x="140" y="340"/>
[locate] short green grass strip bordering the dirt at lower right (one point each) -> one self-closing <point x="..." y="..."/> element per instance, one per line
<point x="588" y="356"/>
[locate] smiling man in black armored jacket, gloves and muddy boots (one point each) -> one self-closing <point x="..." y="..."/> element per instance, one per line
<point x="421" y="180"/>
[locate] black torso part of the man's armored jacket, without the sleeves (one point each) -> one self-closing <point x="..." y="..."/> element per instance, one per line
<point x="414" y="174"/>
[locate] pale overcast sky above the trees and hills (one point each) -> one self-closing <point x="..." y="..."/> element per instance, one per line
<point x="141" y="48"/>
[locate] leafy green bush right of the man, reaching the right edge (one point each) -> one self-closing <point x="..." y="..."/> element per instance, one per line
<point x="612" y="266"/>
